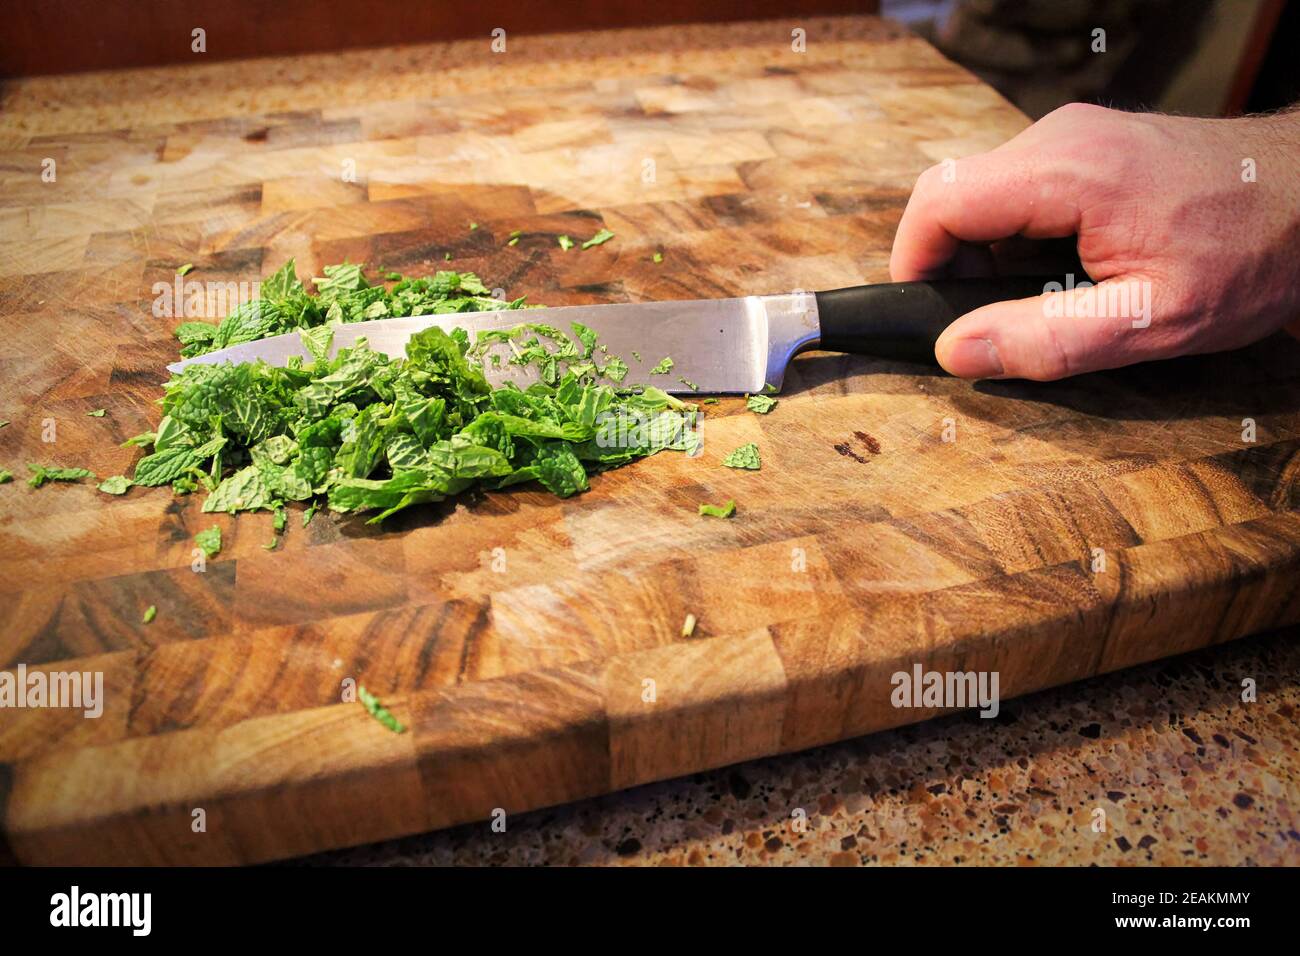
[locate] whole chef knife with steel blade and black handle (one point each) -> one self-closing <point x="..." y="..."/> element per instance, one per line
<point x="717" y="345"/>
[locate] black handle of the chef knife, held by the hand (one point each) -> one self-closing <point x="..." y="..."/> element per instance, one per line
<point x="903" y="321"/>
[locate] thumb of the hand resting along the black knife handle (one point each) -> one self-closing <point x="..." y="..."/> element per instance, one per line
<point x="1055" y="335"/>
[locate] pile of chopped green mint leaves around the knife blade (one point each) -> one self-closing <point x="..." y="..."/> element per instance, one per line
<point x="367" y="432"/>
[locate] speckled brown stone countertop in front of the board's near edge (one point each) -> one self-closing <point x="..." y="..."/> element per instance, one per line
<point x="1181" y="768"/>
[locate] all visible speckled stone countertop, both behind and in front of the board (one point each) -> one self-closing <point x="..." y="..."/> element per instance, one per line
<point x="1169" y="756"/>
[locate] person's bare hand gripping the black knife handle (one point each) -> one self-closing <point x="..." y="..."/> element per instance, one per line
<point x="1165" y="214"/>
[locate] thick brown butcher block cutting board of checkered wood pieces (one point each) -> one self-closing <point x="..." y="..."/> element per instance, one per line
<point x="532" y="646"/>
